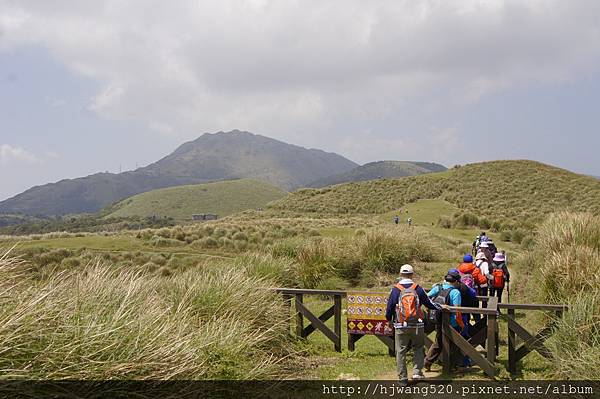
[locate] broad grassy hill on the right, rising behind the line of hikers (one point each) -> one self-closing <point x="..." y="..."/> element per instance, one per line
<point x="514" y="191"/>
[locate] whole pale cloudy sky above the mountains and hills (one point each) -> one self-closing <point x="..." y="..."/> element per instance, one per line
<point x="90" y="86"/>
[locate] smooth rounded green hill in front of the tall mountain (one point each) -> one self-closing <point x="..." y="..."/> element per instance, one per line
<point x="221" y="198"/>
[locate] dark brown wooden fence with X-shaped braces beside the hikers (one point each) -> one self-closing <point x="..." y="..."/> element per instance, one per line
<point x="484" y="332"/>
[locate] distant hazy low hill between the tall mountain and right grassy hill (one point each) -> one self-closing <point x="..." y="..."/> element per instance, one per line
<point x="380" y="170"/>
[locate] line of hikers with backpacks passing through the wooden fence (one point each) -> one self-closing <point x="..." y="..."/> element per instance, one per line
<point x="483" y="274"/>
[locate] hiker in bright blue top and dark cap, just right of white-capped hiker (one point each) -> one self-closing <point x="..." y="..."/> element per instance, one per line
<point x="447" y="293"/>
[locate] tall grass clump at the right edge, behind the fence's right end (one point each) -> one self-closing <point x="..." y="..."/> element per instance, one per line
<point x="568" y="245"/>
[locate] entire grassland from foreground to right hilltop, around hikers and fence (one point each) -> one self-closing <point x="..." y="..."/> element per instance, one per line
<point x="285" y="246"/>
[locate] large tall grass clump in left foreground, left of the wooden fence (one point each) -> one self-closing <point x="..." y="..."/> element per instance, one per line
<point x="106" y="323"/>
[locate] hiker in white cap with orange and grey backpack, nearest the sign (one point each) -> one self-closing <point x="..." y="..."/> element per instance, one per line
<point x="404" y="311"/>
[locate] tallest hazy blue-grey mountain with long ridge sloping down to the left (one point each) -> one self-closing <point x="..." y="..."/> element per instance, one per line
<point x="210" y="157"/>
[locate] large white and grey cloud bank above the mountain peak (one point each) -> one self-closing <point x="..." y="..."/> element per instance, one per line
<point x="298" y="70"/>
